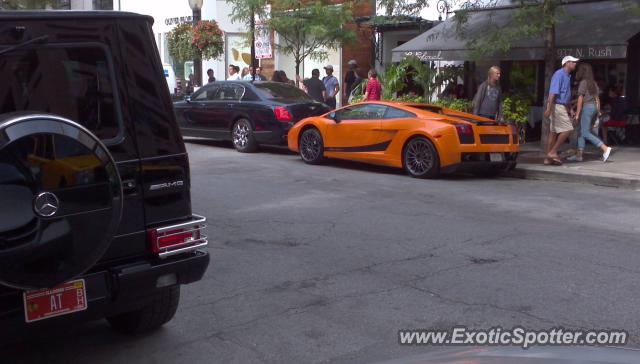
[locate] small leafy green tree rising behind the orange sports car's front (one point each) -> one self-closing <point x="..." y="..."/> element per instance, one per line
<point x="309" y="29"/>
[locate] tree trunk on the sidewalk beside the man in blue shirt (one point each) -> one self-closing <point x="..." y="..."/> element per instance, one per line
<point x="549" y="68"/>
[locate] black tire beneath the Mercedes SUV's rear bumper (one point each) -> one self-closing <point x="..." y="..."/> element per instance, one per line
<point x="160" y="311"/>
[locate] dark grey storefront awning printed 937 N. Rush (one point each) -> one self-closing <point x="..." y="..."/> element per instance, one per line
<point x="588" y="30"/>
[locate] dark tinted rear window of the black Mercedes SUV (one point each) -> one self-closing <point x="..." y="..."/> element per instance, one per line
<point x="72" y="82"/>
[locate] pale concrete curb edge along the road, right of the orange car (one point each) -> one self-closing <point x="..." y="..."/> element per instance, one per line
<point x="559" y="174"/>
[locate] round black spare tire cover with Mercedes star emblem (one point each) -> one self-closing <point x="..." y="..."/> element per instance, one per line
<point x="61" y="200"/>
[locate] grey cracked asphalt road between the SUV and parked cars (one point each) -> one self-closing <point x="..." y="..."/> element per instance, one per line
<point x="326" y="263"/>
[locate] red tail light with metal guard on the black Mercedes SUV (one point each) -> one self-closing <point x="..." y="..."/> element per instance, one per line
<point x="174" y="239"/>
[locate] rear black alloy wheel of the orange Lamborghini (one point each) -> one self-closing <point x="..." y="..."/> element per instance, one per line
<point x="420" y="158"/>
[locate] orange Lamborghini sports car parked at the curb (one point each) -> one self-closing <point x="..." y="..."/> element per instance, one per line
<point x="425" y="140"/>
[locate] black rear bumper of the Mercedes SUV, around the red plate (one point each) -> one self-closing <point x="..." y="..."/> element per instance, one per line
<point x="111" y="291"/>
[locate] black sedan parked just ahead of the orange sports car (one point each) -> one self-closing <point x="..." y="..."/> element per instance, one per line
<point x="247" y="113"/>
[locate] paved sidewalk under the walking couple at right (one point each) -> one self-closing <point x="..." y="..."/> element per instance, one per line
<point x="622" y="170"/>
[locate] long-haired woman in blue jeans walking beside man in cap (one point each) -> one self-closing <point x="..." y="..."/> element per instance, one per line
<point x="588" y="108"/>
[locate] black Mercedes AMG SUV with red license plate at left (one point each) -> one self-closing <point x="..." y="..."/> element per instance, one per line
<point x="95" y="209"/>
